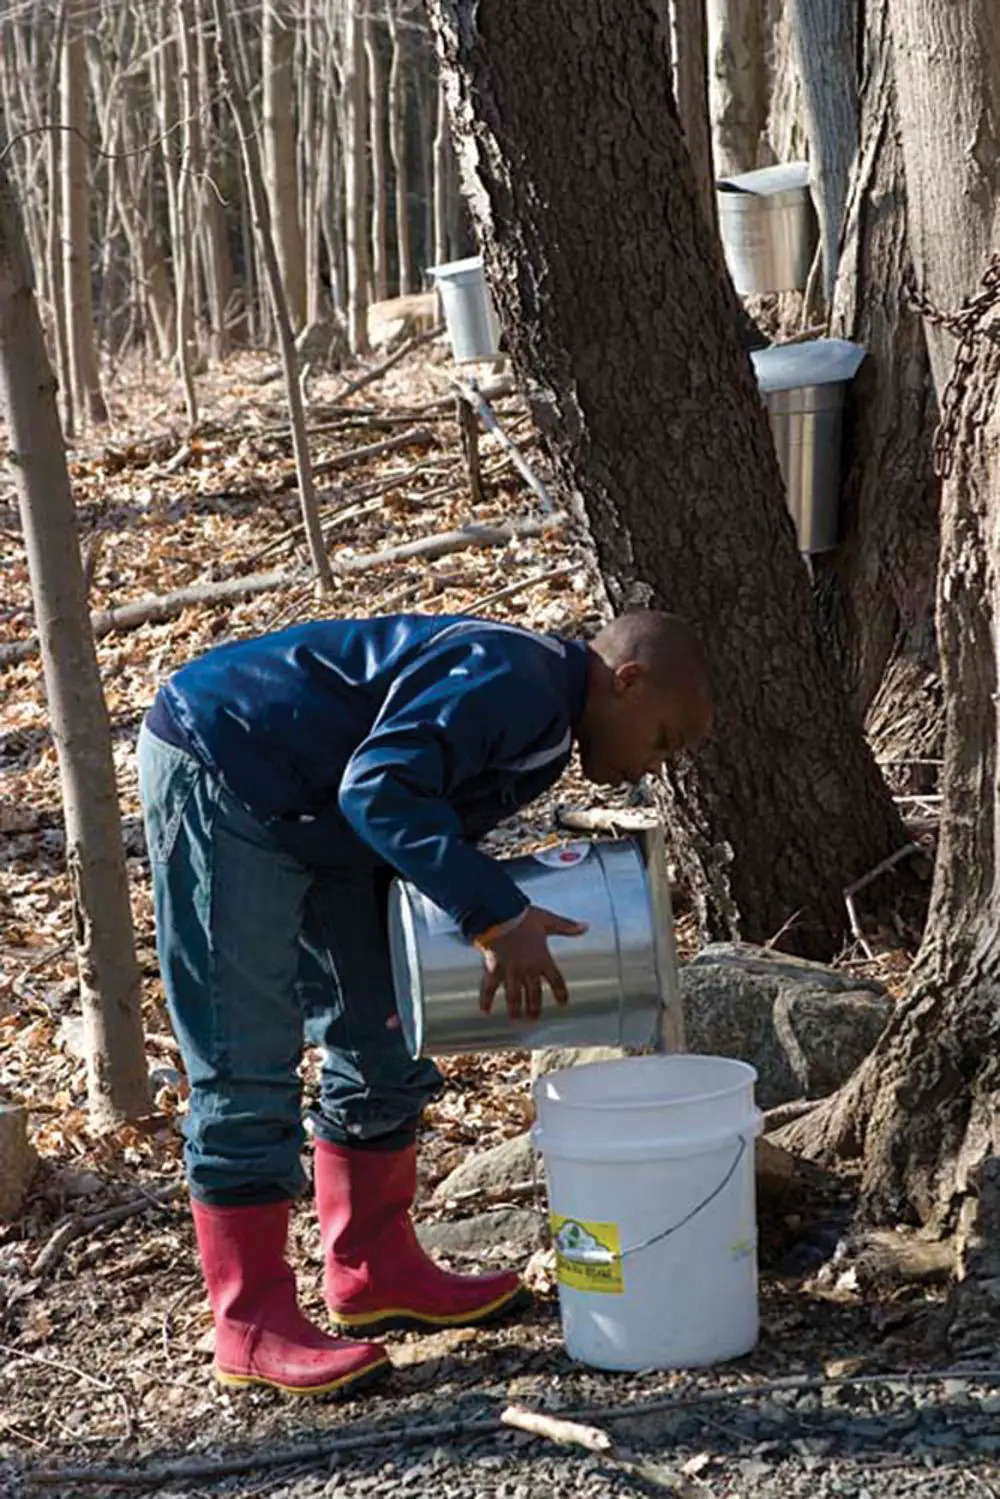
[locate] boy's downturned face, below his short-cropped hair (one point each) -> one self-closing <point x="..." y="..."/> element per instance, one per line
<point x="632" y="728"/>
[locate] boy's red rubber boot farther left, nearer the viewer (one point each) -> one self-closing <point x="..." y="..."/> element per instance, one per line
<point x="262" y="1336"/>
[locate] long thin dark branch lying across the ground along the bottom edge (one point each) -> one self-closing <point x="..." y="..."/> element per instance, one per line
<point x="158" y="1474"/>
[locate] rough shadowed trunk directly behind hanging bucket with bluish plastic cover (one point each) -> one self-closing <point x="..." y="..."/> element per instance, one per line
<point x="876" y="591"/>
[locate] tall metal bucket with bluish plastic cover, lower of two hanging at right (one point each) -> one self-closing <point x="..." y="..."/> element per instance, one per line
<point x="803" y="386"/>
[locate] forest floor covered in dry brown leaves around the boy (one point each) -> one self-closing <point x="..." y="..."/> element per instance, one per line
<point x="106" y="1336"/>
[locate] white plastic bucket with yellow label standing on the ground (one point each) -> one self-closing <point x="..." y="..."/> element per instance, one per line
<point x="650" y="1164"/>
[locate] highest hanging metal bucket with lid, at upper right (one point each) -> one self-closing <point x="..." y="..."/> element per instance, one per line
<point x="770" y="229"/>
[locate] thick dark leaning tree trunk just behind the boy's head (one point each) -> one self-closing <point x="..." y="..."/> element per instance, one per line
<point x="624" y="326"/>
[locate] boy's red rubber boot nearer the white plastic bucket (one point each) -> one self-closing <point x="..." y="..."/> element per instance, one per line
<point x="377" y="1276"/>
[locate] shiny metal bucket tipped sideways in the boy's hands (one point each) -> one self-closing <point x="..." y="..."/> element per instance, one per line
<point x="621" y="975"/>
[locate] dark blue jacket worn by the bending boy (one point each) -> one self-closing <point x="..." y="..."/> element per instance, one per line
<point x="392" y="741"/>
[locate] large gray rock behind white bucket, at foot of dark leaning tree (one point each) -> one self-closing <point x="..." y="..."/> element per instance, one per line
<point x="803" y="1026"/>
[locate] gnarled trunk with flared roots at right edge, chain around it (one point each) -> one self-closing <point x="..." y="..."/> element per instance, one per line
<point x="923" y="1112"/>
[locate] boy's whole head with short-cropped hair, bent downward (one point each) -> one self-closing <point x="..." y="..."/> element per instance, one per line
<point x="647" y="699"/>
